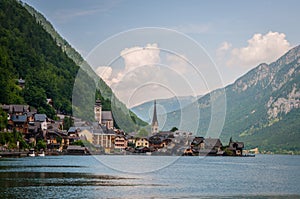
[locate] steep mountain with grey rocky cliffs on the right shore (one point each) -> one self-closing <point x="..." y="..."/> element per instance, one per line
<point x="262" y="107"/>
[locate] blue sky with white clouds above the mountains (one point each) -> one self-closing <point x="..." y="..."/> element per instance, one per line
<point x="147" y="50"/>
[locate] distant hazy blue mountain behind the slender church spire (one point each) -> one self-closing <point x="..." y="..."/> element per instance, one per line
<point x="145" y="110"/>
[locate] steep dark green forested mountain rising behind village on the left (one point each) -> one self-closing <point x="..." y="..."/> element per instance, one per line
<point x="31" y="49"/>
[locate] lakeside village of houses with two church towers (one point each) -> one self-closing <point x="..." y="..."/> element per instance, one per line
<point x="101" y="137"/>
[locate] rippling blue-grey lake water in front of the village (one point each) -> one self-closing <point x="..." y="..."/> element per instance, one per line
<point x="263" y="176"/>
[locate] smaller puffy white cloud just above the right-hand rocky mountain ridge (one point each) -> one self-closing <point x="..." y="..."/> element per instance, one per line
<point x="261" y="48"/>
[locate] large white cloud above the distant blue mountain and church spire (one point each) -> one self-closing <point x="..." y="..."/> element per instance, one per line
<point x="148" y="73"/>
